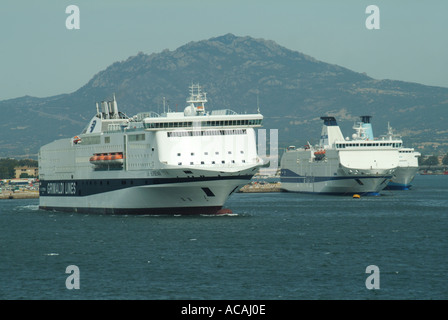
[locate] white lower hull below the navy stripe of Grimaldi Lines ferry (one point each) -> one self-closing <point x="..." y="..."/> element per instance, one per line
<point x="187" y="198"/>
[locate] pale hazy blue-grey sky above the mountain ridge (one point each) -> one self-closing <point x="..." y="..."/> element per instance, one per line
<point x="40" y="57"/>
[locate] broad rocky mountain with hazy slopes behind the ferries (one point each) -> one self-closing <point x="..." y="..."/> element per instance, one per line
<point x="293" y="91"/>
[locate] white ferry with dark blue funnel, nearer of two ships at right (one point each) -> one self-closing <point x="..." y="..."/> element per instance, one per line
<point x="338" y="165"/>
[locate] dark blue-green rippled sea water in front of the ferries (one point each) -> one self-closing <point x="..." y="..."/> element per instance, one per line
<point x="275" y="246"/>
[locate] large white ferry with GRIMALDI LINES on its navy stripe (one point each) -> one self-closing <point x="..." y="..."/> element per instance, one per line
<point x="186" y="162"/>
